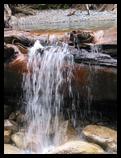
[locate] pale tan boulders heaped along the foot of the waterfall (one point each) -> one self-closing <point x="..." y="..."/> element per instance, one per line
<point x="89" y="139"/>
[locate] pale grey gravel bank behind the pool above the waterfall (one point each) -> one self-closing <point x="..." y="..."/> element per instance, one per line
<point x="58" y="20"/>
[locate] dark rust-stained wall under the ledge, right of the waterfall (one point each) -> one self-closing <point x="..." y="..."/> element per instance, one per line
<point x="101" y="97"/>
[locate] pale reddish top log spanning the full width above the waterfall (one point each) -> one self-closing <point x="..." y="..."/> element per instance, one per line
<point x="84" y="37"/>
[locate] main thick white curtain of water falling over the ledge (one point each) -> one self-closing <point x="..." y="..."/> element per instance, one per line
<point x="48" y="71"/>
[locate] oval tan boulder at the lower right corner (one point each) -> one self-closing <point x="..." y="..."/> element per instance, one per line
<point x="101" y="135"/>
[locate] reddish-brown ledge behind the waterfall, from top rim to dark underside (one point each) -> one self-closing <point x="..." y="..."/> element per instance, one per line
<point x="95" y="64"/>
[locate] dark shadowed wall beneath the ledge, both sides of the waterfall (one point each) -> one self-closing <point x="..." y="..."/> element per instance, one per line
<point x="87" y="80"/>
